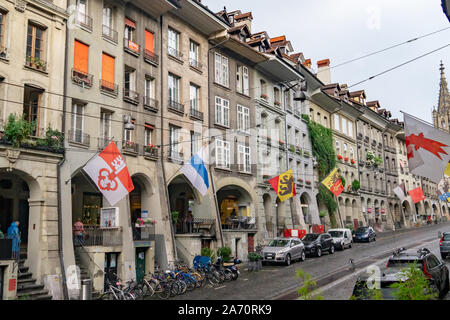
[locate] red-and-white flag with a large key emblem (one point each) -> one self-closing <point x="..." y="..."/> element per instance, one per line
<point x="110" y="174"/>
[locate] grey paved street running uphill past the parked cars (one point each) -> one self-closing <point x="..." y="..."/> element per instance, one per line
<point x="332" y="272"/>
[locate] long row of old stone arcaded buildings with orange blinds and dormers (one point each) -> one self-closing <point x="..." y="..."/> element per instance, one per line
<point x="161" y="79"/>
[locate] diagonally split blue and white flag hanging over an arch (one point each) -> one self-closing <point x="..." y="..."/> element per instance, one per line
<point x="195" y="171"/>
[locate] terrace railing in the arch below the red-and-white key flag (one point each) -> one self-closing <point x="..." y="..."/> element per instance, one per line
<point x="96" y="236"/>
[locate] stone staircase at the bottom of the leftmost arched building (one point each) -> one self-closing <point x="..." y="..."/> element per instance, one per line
<point x="27" y="288"/>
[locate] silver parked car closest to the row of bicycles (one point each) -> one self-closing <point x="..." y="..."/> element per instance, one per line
<point x="284" y="250"/>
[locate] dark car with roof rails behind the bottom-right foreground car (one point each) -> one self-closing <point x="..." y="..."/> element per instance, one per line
<point x="433" y="268"/>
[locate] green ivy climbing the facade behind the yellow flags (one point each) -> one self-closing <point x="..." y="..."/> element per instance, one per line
<point x="323" y="151"/>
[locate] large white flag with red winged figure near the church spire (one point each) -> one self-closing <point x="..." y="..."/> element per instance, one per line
<point x="428" y="149"/>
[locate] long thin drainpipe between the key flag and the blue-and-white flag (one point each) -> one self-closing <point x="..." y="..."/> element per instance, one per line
<point x="166" y="190"/>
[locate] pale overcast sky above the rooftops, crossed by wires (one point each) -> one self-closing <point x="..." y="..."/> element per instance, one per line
<point x="346" y="29"/>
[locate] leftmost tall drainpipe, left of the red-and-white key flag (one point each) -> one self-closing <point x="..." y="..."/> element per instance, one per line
<point x="60" y="163"/>
